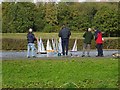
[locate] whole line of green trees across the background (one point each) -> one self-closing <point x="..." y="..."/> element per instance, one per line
<point x="48" y="17"/>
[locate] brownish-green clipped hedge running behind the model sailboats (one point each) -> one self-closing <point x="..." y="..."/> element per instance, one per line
<point x="21" y="44"/>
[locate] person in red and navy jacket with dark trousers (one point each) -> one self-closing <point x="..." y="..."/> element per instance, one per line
<point x="99" y="43"/>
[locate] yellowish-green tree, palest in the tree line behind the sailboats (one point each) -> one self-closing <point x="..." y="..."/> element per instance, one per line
<point x="50" y="17"/>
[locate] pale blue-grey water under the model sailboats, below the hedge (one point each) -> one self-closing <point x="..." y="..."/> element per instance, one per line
<point x="22" y="55"/>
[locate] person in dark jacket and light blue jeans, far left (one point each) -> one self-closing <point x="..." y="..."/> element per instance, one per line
<point x="31" y="46"/>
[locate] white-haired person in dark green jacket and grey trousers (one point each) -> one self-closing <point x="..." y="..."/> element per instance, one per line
<point x="88" y="36"/>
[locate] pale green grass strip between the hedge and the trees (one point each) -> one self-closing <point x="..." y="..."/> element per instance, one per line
<point x="38" y="34"/>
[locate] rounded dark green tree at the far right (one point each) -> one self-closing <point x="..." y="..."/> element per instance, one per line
<point x="106" y="19"/>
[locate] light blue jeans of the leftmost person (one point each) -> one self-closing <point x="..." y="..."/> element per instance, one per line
<point x="30" y="49"/>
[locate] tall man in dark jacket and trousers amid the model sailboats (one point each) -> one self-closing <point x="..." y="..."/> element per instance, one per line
<point x="64" y="34"/>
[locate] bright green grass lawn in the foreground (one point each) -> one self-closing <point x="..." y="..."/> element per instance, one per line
<point x="61" y="73"/>
